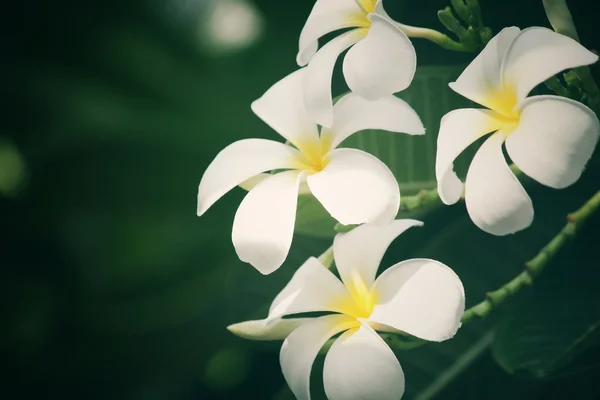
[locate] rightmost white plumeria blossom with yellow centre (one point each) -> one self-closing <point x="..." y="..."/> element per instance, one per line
<point x="549" y="138"/>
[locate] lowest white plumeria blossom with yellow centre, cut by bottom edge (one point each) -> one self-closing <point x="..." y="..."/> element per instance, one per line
<point x="420" y="297"/>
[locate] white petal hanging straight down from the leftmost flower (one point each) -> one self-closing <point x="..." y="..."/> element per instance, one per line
<point x="264" y="223"/>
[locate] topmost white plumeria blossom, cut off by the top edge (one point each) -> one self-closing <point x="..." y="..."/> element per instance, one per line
<point x="382" y="60"/>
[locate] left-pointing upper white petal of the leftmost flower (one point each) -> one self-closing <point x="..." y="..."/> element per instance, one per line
<point x="240" y="161"/>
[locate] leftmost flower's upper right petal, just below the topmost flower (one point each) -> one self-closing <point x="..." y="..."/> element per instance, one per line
<point x="353" y="113"/>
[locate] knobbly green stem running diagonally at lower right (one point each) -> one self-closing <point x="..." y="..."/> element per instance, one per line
<point x="536" y="265"/>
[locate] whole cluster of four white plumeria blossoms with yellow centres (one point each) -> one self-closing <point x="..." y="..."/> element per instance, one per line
<point x="549" y="138"/>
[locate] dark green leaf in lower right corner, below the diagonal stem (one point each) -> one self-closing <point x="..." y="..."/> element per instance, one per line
<point x="558" y="321"/>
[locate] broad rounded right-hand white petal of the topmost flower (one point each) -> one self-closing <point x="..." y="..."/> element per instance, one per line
<point x="383" y="63"/>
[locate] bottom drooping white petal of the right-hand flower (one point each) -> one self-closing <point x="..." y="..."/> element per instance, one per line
<point x="495" y="199"/>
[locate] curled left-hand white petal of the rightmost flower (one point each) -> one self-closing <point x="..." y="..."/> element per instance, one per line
<point x="458" y="129"/>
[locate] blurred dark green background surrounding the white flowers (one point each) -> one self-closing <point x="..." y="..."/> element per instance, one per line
<point x="112" y="287"/>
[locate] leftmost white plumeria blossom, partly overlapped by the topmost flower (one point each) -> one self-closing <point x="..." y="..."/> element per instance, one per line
<point x="353" y="186"/>
